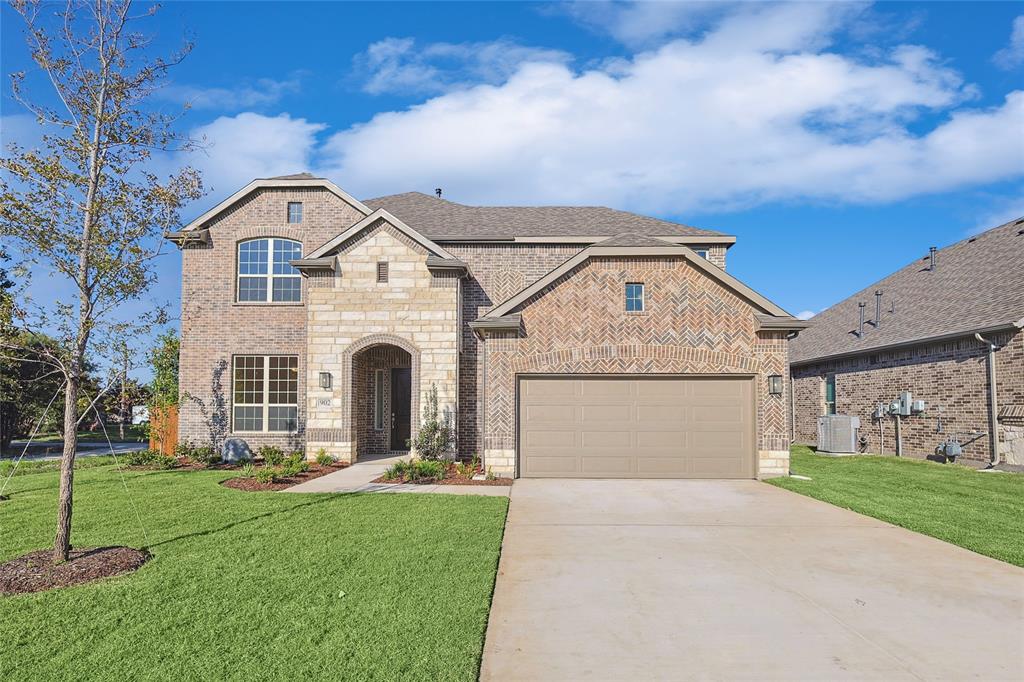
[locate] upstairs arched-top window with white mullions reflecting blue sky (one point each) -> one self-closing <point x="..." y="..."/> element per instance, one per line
<point x="265" y="274"/>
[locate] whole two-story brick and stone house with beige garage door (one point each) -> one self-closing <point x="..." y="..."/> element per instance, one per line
<point x="563" y="342"/>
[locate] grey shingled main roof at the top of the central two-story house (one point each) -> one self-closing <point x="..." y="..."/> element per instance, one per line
<point x="447" y="222"/>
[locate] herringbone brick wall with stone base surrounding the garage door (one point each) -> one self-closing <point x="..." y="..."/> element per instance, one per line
<point x="579" y="325"/>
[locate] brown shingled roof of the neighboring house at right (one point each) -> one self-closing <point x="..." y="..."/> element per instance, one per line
<point x="977" y="286"/>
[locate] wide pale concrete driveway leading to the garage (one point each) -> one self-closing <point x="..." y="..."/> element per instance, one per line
<point x="639" y="580"/>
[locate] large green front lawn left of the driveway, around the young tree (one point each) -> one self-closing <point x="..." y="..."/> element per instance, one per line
<point x="254" y="585"/>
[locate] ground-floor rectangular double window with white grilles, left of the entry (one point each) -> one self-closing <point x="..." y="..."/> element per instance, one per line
<point x="266" y="393"/>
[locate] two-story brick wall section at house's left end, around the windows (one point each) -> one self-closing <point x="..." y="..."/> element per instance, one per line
<point x="216" y="328"/>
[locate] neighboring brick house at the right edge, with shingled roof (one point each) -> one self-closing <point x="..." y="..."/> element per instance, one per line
<point x="925" y="344"/>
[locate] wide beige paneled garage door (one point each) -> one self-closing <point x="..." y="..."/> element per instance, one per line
<point x="632" y="428"/>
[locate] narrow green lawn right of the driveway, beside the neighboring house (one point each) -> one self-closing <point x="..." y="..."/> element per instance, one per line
<point x="984" y="513"/>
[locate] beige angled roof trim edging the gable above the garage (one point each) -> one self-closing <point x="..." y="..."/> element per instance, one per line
<point x="723" y="278"/>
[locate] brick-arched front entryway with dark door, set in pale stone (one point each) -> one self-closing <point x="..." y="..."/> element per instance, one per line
<point x="385" y="388"/>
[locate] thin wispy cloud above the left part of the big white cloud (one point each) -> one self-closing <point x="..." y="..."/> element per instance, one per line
<point x="399" y="66"/>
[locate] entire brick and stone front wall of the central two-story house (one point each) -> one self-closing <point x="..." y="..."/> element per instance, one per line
<point x="349" y="325"/>
